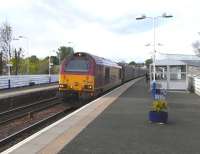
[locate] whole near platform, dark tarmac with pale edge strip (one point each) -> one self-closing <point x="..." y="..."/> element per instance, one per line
<point x="118" y="123"/>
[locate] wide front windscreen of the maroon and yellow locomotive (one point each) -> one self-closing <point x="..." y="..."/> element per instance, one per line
<point x="77" y="65"/>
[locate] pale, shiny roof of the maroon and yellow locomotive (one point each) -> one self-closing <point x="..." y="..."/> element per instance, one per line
<point x="100" y="60"/>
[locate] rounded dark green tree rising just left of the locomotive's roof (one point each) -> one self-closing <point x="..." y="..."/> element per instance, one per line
<point x="64" y="52"/>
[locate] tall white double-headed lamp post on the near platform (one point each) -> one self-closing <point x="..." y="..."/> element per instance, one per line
<point x="154" y="40"/>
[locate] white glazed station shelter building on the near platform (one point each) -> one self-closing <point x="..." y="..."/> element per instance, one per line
<point x="175" y="72"/>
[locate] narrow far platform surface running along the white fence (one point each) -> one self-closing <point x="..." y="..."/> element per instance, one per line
<point x="6" y="93"/>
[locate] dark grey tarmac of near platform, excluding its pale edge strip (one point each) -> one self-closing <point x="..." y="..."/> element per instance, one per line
<point x="123" y="128"/>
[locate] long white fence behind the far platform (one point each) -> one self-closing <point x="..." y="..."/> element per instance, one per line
<point x="25" y="80"/>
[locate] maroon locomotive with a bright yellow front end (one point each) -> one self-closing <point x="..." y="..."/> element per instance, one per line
<point x="86" y="75"/>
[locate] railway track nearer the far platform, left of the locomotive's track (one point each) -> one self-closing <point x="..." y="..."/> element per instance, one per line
<point x="16" y="113"/>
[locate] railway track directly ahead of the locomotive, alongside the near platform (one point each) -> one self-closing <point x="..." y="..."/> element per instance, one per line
<point x="10" y="140"/>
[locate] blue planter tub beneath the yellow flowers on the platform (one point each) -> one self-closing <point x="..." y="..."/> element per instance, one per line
<point x="160" y="117"/>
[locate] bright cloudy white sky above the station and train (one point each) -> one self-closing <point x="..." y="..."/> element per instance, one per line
<point x="105" y="28"/>
